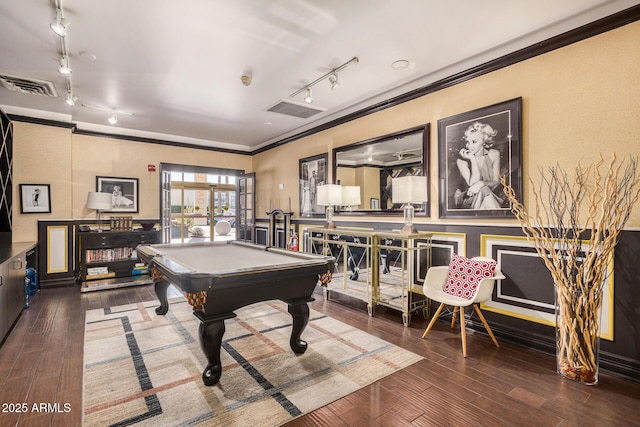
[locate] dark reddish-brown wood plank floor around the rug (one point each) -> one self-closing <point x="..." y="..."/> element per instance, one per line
<point x="41" y="362"/>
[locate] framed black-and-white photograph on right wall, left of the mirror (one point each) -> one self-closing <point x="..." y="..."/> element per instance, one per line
<point x="313" y="172"/>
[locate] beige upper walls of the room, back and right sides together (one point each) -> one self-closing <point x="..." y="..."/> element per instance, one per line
<point x="578" y="102"/>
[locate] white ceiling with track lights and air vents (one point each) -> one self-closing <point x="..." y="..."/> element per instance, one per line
<point x="176" y="66"/>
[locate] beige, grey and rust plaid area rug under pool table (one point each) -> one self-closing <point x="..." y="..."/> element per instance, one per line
<point x="144" y="369"/>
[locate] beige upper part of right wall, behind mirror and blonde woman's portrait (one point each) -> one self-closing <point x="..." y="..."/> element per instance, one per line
<point x="578" y="102"/>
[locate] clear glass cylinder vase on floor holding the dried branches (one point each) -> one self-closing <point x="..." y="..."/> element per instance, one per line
<point x="578" y="334"/>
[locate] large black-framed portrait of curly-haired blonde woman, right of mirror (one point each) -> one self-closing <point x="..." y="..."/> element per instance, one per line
<point x="475" y="149"/>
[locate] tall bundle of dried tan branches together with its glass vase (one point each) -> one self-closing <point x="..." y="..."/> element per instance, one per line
<point x="575" y="226"/>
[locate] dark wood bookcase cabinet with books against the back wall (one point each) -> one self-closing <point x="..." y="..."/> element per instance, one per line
<point x="109" y="259"/>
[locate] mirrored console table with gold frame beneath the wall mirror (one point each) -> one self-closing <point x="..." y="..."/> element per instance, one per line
<point x="378" y="267"/>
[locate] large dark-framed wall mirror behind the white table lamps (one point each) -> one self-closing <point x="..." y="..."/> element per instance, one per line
<point x="372" y="164"/>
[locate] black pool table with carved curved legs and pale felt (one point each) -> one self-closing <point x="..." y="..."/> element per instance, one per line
<point x="220" y="277"/>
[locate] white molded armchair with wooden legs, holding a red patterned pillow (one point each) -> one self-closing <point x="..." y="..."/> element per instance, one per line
<point x="433" y="289"/>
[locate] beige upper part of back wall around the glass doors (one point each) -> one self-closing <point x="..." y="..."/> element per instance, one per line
<point x="71" y="162"/>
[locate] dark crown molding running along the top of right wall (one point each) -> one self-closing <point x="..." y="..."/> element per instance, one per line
<point x="592" y="29"/>
